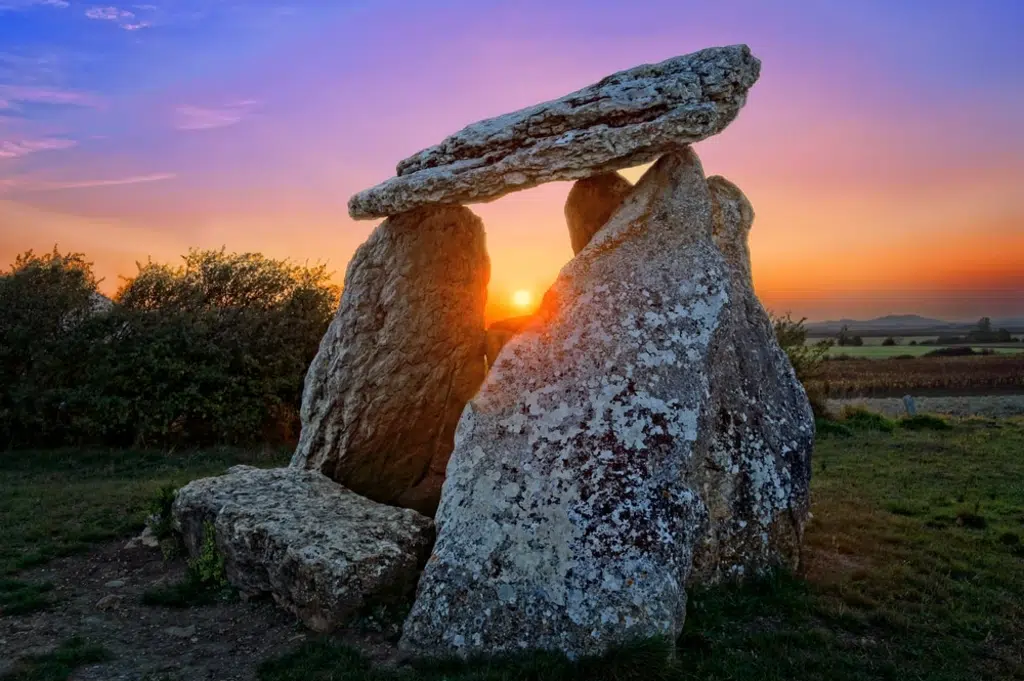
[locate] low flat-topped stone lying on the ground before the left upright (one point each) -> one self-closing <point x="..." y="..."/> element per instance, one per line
<point x="322" y="551"/>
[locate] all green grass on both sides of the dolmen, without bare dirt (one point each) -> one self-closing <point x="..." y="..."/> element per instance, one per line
<point x="915" y="564"/>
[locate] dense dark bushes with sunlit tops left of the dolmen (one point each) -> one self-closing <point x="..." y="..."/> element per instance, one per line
<point x="211" y="352"/>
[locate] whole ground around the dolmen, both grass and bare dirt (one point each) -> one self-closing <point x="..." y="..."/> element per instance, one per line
<point x="915" y="569"/>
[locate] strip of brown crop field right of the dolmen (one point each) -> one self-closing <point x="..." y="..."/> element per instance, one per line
<point x="883" y="378"/>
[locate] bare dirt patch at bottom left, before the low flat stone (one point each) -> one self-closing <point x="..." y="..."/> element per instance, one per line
<point x="98" y="597"/>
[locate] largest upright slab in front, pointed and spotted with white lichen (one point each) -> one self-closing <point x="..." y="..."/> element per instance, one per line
<point x="568" y="521"/>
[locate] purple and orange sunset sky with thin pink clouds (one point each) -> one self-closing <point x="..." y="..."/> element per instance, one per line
<point x="883" y="148"/>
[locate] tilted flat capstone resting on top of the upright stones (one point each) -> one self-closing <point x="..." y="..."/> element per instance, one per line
<point x="628" y="119"/>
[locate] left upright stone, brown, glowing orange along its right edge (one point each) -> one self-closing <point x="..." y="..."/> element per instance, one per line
<point x="402" y="358"/>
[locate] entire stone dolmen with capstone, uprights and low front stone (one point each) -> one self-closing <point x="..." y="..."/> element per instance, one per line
<point x="642" y="434"/>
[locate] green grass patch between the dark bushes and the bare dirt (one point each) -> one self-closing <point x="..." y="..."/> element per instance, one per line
<point x="60" y="502"/>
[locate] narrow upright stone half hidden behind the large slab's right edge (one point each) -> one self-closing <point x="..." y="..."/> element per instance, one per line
<point x="755" y="476"/>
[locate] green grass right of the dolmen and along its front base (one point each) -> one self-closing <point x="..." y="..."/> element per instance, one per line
<point x="915" y="570"/>
